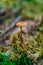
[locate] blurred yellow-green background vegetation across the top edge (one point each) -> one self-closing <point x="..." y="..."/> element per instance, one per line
<point x="32" y="8"/>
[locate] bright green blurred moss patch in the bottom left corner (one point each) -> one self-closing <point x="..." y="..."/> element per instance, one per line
<point x="5" y="61"/>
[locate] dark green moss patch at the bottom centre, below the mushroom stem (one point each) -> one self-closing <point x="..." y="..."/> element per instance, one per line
<point x="23" y="60"/>
